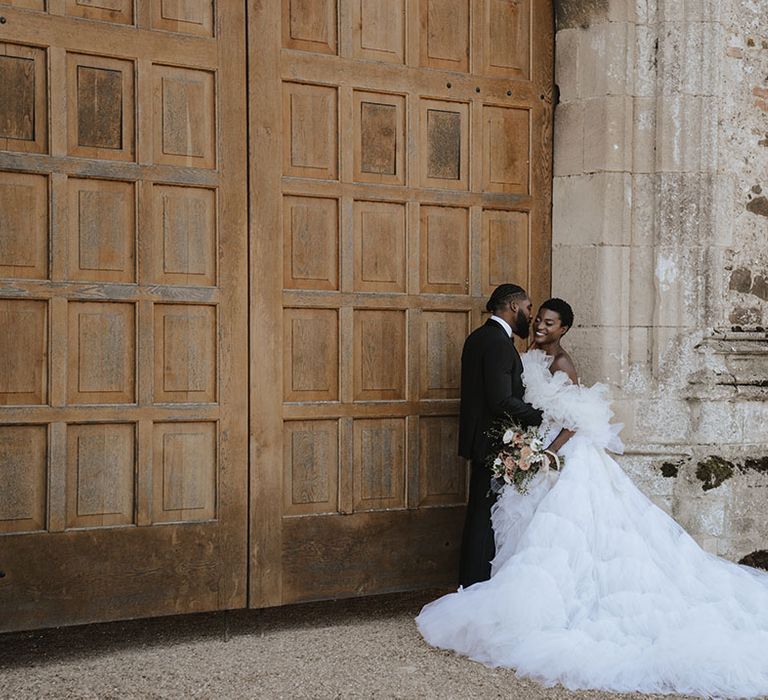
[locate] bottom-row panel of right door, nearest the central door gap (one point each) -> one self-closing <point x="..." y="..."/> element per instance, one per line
<point x="311" y="467"/>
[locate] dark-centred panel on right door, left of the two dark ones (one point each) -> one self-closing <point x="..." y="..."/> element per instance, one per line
<point x="379" y="138"/>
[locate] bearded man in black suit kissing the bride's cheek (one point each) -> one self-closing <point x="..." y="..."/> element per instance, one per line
<point x="491" y="386"/>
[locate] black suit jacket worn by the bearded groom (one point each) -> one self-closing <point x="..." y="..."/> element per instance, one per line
<point x="491" y="386"/>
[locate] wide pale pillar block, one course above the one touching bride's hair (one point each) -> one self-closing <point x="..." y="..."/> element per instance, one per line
<point x="592" y="209"/>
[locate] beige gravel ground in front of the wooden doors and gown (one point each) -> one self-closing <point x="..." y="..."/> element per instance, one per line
<point x="362" y="648"/>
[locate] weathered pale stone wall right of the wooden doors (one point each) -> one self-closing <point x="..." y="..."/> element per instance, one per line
<point x="660" y="242"/>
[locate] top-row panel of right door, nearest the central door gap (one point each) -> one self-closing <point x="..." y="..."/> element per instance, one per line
<point x="310" y="25"/>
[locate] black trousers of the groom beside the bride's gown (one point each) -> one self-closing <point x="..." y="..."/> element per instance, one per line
<point x="477" y="545"/>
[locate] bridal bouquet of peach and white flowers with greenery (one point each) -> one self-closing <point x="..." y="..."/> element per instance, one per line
<point x="518" y="454"/>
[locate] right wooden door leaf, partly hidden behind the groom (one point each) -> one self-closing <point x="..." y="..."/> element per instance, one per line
<point x="400" y="169"/>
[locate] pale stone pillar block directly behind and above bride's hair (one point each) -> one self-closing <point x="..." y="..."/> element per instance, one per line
<point x="594" y="280"/>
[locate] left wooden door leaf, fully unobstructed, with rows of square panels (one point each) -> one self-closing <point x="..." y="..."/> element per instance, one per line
<point x="123" y="288"/>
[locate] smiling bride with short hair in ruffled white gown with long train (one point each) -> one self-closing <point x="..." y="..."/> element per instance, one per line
<point x="592" y="585"/>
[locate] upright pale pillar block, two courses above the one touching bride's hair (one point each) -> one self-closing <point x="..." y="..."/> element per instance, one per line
<point x="608" y="134"/>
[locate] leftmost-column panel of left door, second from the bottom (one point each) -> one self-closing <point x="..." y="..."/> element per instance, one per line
<point x="23" y="352"/>
